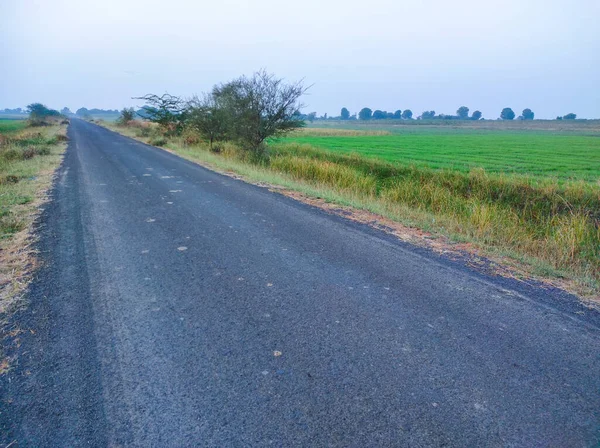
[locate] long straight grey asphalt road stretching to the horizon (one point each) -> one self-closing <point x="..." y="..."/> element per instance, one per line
<point x="179" y="307"/>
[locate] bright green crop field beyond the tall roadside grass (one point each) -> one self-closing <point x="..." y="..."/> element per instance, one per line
<point x="548" y="154"/>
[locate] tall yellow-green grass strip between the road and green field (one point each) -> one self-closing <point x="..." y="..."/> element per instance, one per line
<point x="555" y="224"/>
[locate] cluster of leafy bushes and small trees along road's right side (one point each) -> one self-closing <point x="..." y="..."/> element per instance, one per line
<point x="246" y="110"/>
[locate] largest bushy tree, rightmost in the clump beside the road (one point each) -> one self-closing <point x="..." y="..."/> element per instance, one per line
<point x="260" y="107"/>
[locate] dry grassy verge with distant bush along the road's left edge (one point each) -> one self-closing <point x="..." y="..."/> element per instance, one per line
<point x="30" y="151"/>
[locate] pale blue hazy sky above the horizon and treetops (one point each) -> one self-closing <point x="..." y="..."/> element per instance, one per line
<point x="388" y="54"/>
